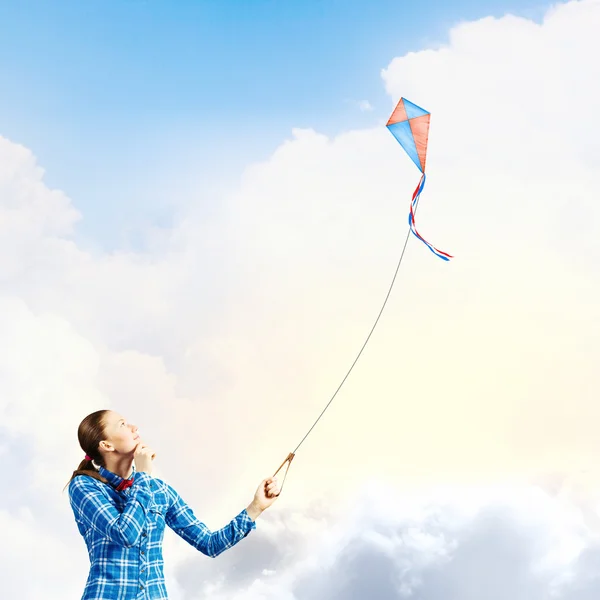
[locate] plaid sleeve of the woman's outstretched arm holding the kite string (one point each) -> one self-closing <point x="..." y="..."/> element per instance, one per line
<point x="181" y="519"/>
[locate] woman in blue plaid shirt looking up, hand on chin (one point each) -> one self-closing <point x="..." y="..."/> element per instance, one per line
<point x="121" y="512"/>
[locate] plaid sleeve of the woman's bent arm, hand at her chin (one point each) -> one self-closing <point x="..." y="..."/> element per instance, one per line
<point x="95" y="509"/>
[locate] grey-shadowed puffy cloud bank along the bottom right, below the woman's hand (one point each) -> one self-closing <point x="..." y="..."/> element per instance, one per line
<point x="503" y="541"/>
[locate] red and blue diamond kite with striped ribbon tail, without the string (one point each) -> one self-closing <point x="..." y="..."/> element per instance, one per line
<point x="409" y="124"/>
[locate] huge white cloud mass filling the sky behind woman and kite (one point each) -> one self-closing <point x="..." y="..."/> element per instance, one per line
<point x="243" y="327"/>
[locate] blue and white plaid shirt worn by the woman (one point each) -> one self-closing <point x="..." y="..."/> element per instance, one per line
<point x="123" y="532"/>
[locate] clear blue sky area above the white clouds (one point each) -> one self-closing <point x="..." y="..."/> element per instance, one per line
<point x="130" y="105"/>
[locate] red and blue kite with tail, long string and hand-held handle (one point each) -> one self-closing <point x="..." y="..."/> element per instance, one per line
<point x="409" y="124"/>
